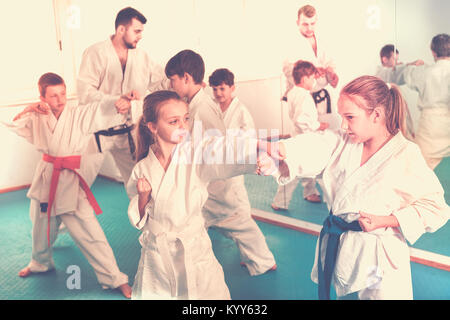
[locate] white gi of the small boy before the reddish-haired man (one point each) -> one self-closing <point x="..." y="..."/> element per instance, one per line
<point x="304" y="116"/>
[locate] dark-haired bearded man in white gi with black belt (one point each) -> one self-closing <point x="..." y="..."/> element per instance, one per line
<point x="113" y="68"/>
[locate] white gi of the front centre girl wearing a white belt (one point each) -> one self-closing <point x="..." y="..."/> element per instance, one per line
<point x="177" y="260"/>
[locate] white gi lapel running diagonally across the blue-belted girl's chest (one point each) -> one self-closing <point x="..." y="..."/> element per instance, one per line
<point x="371" y="168"/>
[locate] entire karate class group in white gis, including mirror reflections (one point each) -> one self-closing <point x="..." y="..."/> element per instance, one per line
<point x="375" y="171"/>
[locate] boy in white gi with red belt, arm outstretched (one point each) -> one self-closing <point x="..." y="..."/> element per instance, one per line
<point x="59" y="190"/>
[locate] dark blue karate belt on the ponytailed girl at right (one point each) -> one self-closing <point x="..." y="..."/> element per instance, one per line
<point x="334" y="227"/>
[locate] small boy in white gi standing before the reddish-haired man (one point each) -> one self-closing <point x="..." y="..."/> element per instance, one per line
<point x="304" y="117"/>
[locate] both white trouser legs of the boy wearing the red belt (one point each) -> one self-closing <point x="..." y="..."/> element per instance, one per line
<point x="88" y="235"/>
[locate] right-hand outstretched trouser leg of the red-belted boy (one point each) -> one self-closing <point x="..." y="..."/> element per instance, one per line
<point x="87" y="233"/>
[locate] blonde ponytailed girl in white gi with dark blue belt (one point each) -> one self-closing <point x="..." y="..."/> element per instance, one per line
<point x="380" y="192"/>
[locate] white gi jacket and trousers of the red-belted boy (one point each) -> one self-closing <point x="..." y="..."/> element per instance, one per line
<point x="68" y="136"/>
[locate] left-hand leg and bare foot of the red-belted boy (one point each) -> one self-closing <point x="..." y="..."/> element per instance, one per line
<point x="42" y="254"/>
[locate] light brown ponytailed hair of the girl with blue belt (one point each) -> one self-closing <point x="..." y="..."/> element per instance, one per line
<point x="375" y="92"/>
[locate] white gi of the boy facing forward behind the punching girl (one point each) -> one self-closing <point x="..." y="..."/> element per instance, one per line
<point x="228" y="207"/>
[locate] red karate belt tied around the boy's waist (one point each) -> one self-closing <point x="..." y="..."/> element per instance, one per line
<point x="69" y="163"/>
